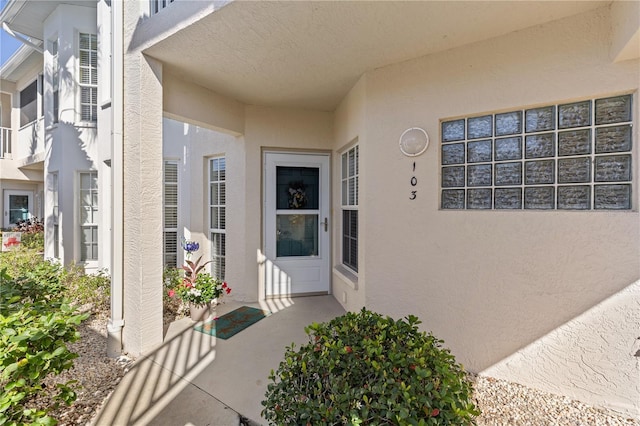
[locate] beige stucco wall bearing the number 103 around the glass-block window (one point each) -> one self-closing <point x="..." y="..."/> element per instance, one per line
<point x="492" y="282"/>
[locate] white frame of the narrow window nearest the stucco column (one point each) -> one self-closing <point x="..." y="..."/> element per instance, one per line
<point x="170" y="239"/>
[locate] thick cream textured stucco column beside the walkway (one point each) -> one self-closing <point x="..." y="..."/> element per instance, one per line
<point x="142" y="195"/>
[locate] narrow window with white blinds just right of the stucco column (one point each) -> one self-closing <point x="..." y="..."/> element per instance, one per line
<point x="170" y="222"/>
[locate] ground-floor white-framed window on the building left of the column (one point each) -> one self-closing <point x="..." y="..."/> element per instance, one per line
<point x="88" y="216"/>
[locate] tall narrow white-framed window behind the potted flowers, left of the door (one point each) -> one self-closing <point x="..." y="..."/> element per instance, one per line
<point x="217" y="215"/>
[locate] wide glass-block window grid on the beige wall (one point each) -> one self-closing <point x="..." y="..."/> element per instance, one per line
<point x="572" y="156"/>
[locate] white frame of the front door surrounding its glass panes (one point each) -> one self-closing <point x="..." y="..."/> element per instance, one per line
<point x="325" y="241"/>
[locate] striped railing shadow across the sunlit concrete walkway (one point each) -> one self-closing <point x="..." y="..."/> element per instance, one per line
<point x="158" y="377"/>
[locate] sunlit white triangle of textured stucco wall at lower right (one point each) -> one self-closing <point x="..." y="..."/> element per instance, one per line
<point x="601" y="349"/>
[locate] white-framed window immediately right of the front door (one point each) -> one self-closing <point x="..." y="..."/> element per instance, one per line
<point x="349" y="179"/>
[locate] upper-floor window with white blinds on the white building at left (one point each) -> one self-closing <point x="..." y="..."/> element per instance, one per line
<point x="88" y="54"/>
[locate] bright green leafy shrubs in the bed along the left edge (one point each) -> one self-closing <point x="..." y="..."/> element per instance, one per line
<point x="38" y="319"/>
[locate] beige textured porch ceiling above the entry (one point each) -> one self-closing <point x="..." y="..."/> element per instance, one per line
<point x="308" y="54"/>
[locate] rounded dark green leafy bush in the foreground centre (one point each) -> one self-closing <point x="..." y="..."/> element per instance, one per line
<point x="362" y="368"/>
